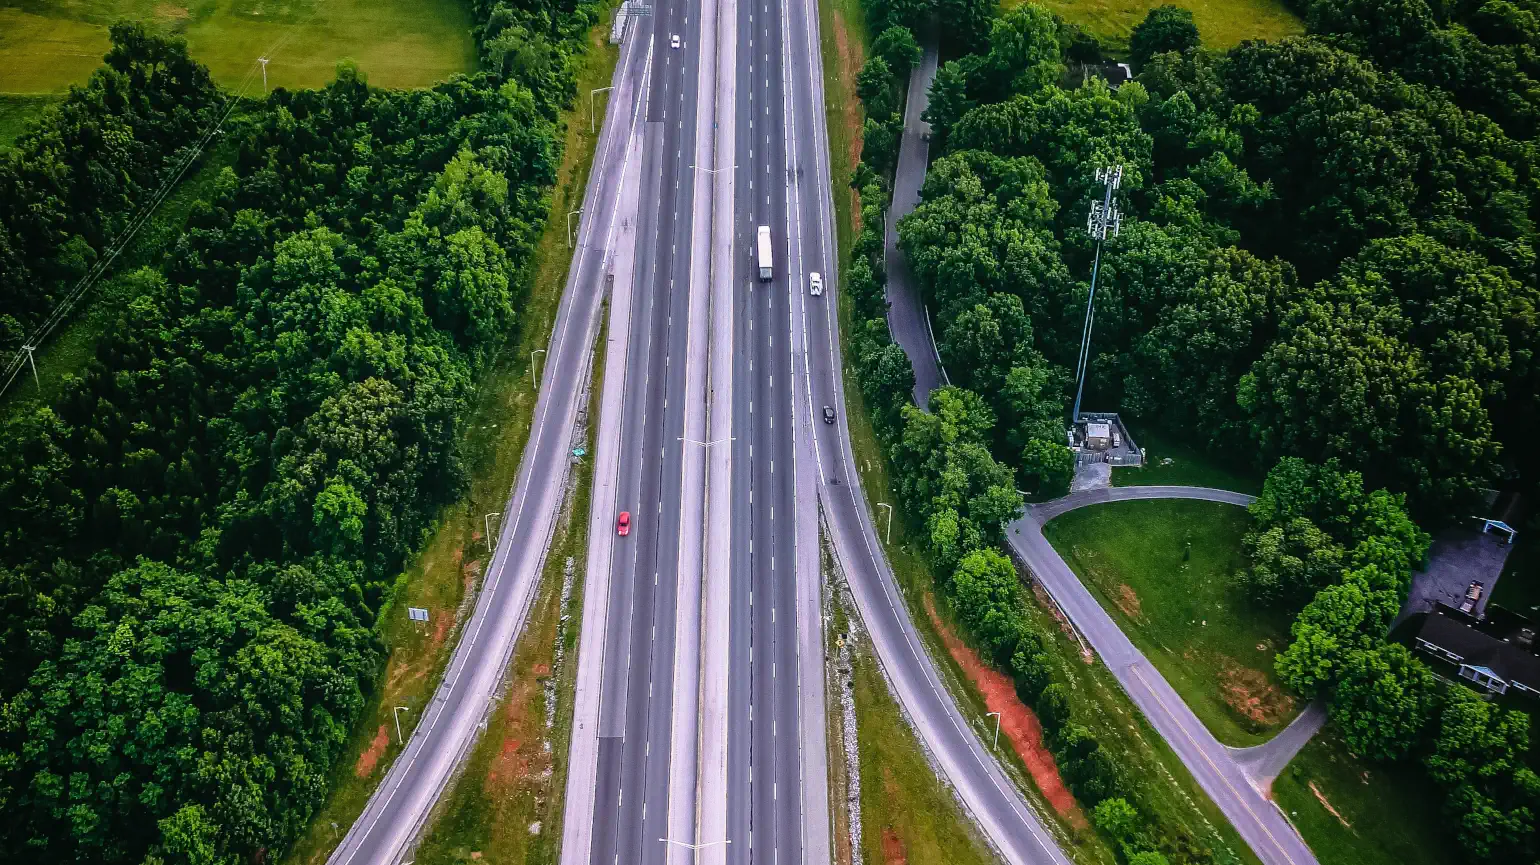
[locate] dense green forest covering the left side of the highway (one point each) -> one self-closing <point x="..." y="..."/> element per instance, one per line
<point x="198" y="539"/>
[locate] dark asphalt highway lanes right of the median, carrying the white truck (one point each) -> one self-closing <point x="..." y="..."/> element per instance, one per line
<point x="765" y="801"/>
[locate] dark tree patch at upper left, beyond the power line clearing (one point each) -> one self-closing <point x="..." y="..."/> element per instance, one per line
<point x="73" y="182"/>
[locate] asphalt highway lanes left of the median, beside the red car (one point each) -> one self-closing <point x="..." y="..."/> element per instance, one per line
<point x="637" y="763"/>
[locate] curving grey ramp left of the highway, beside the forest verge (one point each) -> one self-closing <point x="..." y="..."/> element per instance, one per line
<point x="400" y="807"/>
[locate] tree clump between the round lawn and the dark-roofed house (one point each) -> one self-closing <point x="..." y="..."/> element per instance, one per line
<point x="1319" y="535"/>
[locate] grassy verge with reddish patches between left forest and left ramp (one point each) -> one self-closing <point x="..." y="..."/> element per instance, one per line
<point x="450" y="566"/>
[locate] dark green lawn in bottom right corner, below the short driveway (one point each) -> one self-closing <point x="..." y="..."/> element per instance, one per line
<point x="1358" y="813"/>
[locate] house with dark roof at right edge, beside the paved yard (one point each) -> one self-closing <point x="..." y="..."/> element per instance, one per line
<point x="1495" y="653"/>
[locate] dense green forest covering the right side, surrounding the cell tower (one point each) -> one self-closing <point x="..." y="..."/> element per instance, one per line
<point x="1327" y="267"/>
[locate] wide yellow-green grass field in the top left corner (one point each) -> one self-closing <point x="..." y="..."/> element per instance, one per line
<point x="49" y="45"/>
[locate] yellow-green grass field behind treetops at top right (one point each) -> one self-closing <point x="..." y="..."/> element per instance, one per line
<point x="1222" y="24"/>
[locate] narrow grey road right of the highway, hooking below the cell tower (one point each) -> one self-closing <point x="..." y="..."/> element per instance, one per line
<point x="1254" y="817"/>
